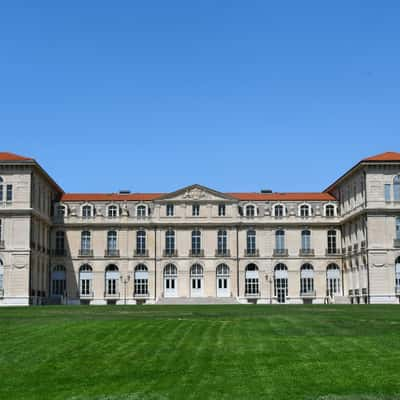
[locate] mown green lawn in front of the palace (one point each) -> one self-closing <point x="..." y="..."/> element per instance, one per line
<point x="200" y="352"/>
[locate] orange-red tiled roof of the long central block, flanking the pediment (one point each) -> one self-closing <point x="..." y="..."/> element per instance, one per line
<point x="238" y="196"/>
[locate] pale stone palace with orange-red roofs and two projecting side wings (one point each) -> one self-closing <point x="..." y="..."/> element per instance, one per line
<point x="198" y="245"/>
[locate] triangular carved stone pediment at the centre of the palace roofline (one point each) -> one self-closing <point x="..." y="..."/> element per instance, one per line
<point x="196" y="193"/>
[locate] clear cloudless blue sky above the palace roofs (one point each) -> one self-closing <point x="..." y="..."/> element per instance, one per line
<point x="236" y="95"/>
